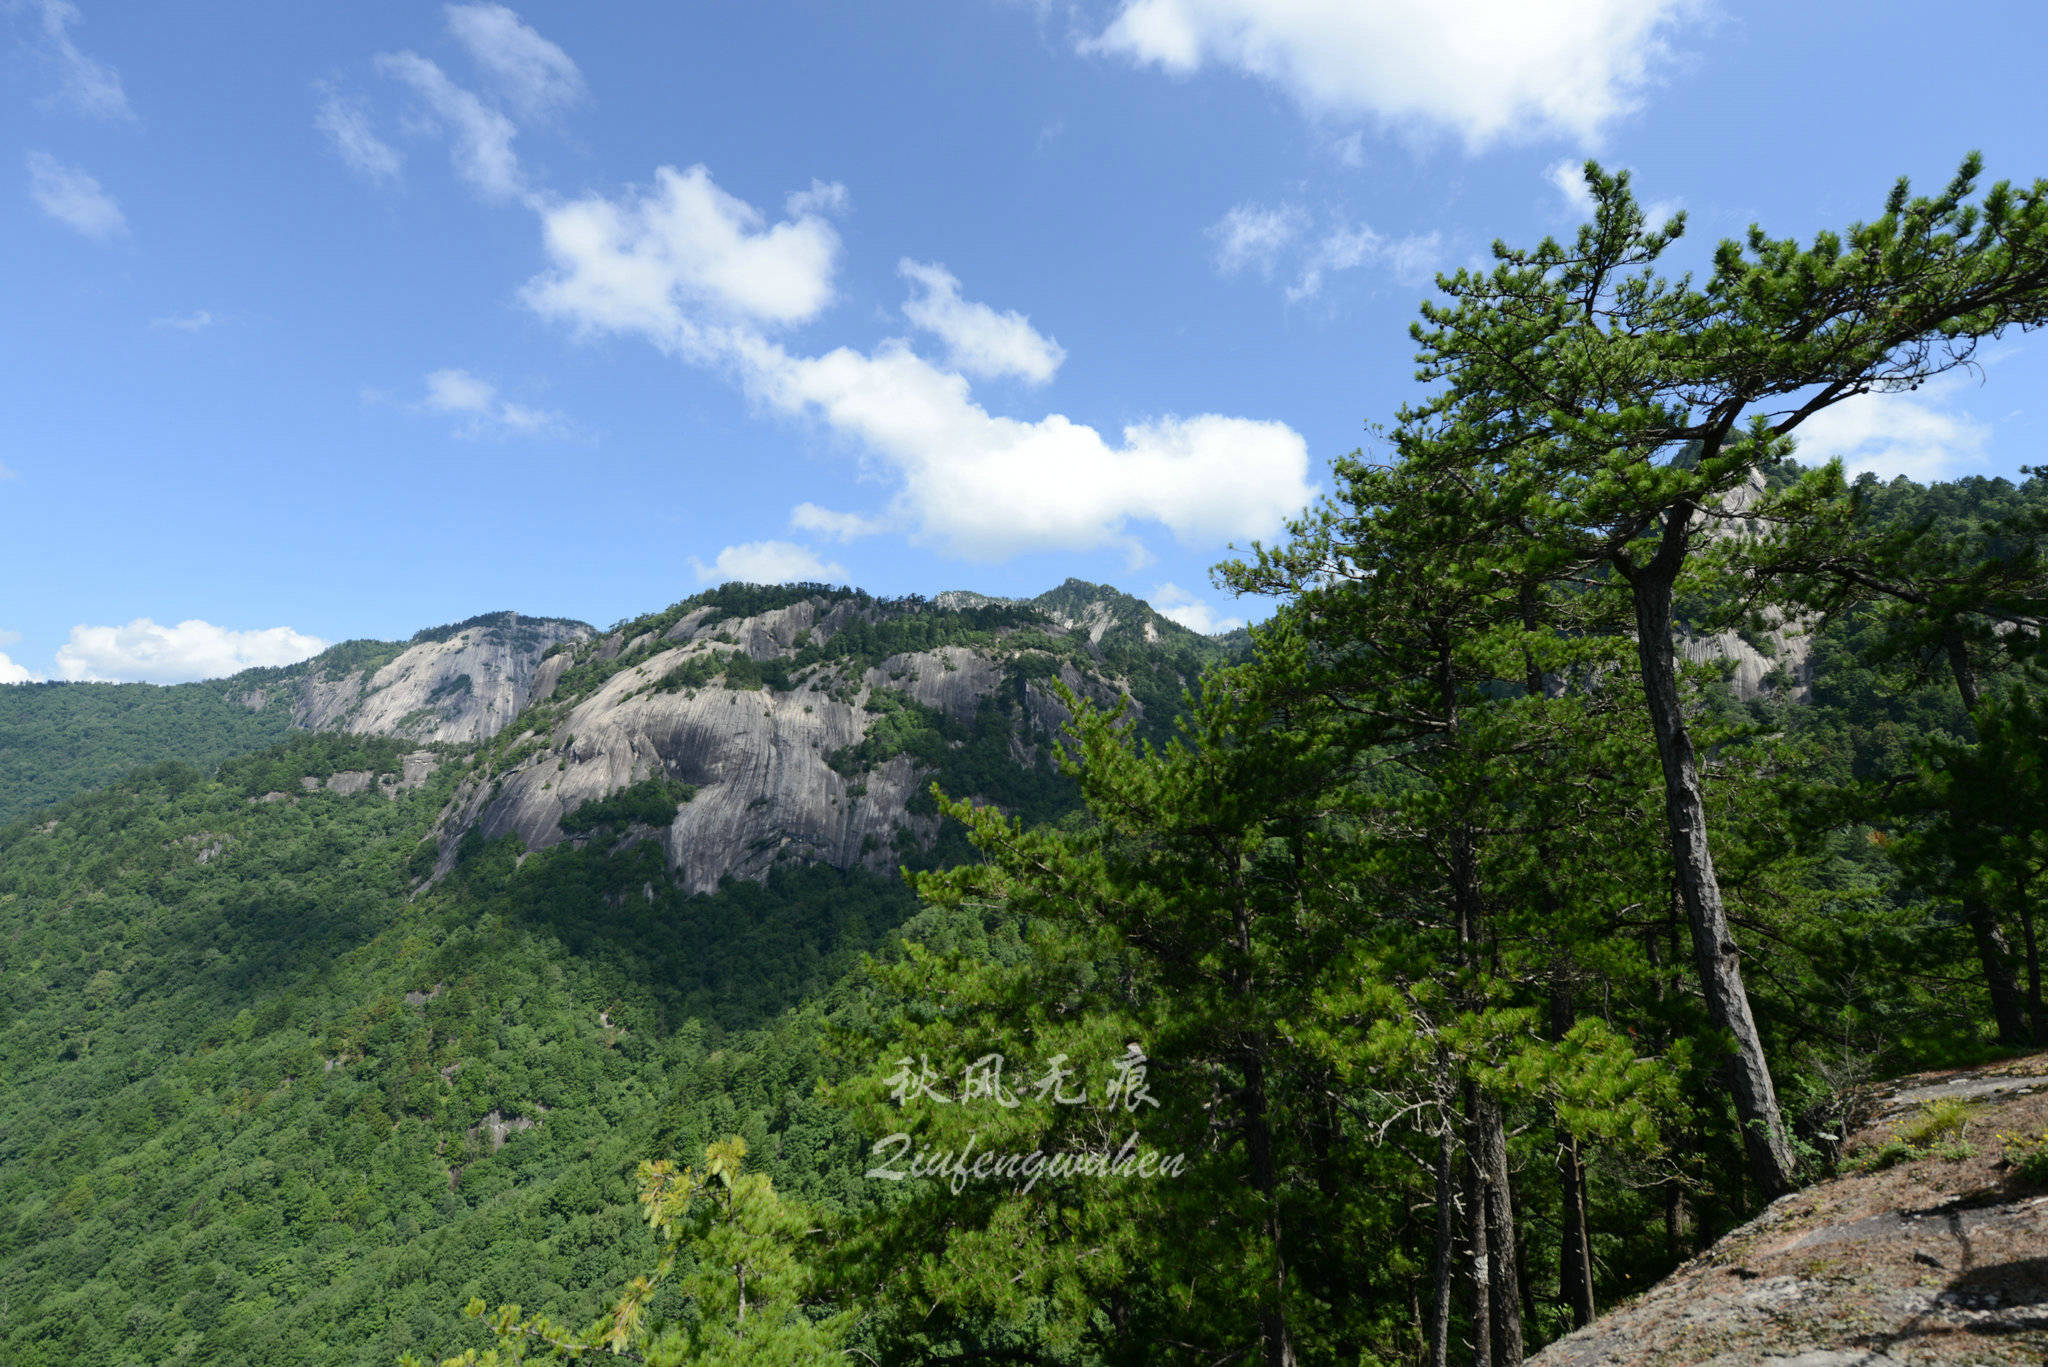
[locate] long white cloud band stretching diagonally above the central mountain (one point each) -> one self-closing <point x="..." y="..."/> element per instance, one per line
<point x="693" y="272"/>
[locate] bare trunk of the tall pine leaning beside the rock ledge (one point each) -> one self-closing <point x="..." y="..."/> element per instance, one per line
<point x="1693" y="862"/>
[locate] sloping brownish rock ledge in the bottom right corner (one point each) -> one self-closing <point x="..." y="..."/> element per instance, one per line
<point x="1932" y="1253"/>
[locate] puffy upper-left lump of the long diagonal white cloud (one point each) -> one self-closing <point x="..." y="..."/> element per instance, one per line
<point x="679" y="261"/>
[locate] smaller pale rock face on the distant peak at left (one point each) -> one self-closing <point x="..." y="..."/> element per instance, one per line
<point x="466" y="686"/>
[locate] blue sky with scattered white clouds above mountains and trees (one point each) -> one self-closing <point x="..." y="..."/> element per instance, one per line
<point x="347" y="321"/>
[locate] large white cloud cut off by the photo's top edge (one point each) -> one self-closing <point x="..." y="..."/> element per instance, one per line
<point x="1488" y="71"/>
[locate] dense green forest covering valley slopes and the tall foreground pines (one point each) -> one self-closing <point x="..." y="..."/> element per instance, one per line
<point x="1437" y="975"/>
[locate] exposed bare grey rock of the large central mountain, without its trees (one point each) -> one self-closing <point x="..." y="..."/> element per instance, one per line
<point x="759" y="761"/>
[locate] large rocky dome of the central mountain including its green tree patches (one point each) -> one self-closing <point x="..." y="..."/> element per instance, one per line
<point x="749" y="729"/>
